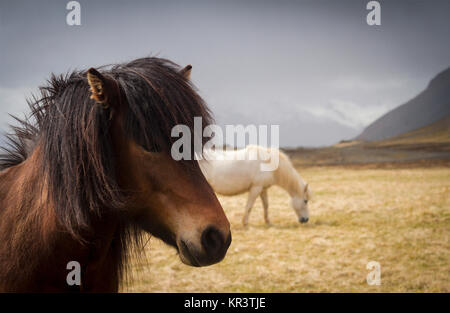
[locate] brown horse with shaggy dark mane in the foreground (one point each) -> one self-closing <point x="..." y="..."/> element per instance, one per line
<point x="90" y="170"/>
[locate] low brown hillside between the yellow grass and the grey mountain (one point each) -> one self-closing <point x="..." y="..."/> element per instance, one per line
<point x="425" y="146"/>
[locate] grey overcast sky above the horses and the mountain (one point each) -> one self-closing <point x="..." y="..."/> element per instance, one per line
<point x="313" y="67"/>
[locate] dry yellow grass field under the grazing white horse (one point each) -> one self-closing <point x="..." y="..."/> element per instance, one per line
<point x="397" y="217"/>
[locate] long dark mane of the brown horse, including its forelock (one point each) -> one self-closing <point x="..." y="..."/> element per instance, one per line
<point x="73" y="134"/>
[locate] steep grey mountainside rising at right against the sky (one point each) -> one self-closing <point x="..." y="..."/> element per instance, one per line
<point x="428" y="107"/>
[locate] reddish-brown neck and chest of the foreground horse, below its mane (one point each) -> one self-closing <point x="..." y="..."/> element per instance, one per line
<point x="36" y="242"/>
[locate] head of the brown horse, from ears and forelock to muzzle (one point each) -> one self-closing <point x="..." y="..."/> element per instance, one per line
<point x="169" y="199"/>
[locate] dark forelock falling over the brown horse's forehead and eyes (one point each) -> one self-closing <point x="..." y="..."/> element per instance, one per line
<point x="154" y="88"/>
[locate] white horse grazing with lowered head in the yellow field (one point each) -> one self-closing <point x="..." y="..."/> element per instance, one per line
<point x="233" y="172"/>
